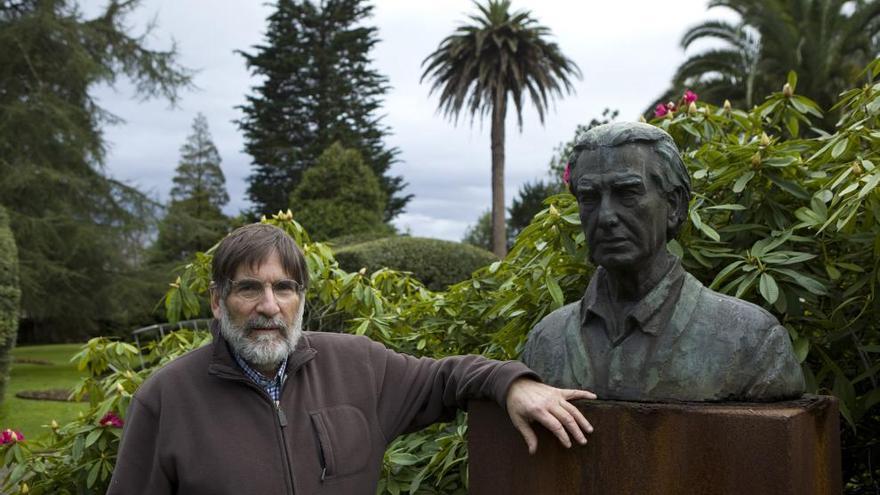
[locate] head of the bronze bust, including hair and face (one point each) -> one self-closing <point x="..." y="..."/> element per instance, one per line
<point x="632" y="190"/>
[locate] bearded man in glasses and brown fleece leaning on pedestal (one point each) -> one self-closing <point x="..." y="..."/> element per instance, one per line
<point x="268" y="408"/>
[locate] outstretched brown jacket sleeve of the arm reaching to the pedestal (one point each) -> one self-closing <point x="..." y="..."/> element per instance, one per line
<point x="416" y="392"/>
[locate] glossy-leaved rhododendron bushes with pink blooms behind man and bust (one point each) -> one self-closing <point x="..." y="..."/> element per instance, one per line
<point x="782" y="215"/>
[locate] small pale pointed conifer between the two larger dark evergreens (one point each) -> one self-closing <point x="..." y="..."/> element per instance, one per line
<point x="195" y="218"/>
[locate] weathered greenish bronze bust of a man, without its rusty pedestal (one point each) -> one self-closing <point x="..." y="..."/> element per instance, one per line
<point x="646" y="329"/>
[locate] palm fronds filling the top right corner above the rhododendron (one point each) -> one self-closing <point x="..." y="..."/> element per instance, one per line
<point x="826" y="42"/>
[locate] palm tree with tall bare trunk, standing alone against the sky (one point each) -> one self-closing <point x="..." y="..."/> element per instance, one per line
<point x="498" y="56"/>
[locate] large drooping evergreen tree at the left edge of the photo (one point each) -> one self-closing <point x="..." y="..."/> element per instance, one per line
<point x="77" y="230"/>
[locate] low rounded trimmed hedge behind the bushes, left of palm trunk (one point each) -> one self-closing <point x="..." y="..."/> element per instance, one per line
<point x="436" y="263"/>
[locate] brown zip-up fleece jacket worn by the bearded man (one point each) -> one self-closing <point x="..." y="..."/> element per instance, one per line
<point x="200" y="426"/>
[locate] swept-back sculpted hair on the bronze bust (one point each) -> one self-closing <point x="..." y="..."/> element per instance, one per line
<point x="670" y="173"/>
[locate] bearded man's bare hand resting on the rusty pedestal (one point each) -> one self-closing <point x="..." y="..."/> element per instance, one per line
<point x="529" y="400"/>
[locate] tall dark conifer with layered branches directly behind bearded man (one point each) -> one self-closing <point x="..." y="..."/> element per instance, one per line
<point x="318" y="88"/>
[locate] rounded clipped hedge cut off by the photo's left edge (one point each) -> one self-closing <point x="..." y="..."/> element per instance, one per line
<point x="10" y="296"/>
